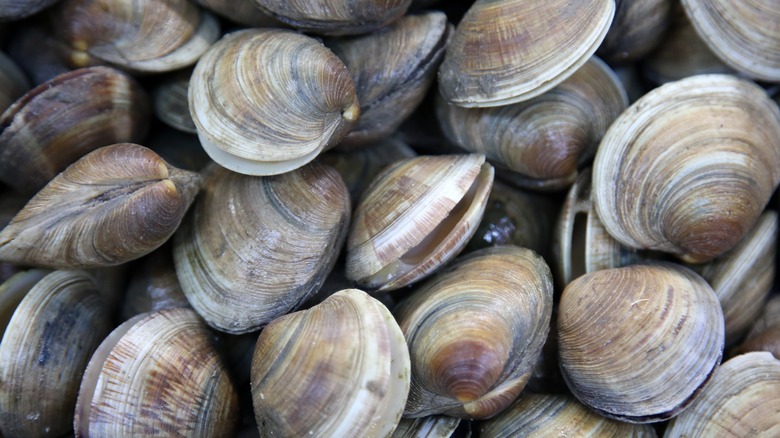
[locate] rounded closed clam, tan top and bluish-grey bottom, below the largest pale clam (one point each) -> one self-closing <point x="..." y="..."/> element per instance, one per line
<point x="639" y="343"/>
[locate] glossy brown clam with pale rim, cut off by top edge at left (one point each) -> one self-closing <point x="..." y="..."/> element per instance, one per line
<point x="134" y="35"/>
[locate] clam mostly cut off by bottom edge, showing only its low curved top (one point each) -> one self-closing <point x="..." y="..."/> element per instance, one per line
<point x="554" y="415"/>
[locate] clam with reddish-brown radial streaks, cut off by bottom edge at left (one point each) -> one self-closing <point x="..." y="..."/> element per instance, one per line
<point x="158" y="373"/>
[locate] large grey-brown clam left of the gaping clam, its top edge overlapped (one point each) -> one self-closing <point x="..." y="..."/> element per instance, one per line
<point x="255" y="248"/>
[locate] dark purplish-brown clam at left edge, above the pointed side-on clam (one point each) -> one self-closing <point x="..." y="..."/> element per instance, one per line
<point x="53" y="125"/>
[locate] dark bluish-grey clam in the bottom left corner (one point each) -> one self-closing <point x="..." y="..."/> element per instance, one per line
<point x="45" y="349"/>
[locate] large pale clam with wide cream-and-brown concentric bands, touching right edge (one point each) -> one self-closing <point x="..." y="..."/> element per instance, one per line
<point x="689" y="167"/>
